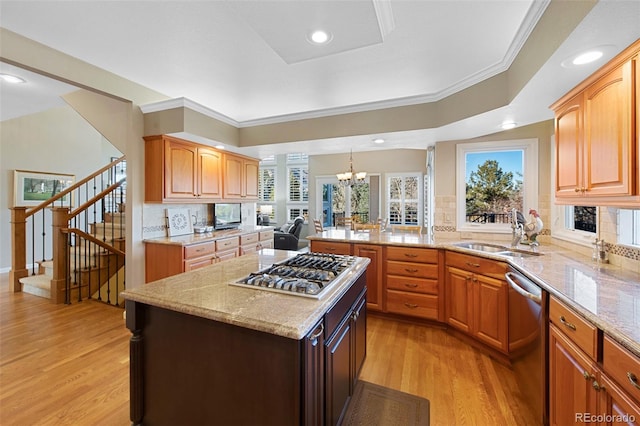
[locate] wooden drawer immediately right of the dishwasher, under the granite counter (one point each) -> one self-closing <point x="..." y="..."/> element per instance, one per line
<point x="581" y="332"/>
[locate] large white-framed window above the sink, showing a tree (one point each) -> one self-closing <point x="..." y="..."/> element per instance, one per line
<point x="492" y="179"/>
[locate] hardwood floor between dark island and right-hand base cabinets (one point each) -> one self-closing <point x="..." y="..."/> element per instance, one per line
<point x="463" y="385"/>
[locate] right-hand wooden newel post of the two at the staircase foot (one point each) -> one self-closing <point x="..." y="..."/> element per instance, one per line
<point x="60" y="221"/>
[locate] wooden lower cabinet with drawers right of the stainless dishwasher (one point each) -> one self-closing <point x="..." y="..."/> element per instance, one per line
<point x="589" y="383"/>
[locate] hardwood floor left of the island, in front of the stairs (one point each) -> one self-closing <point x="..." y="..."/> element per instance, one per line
<point x="62" y="364"/>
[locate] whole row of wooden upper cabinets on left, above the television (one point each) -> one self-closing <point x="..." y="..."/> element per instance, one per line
<point x="181" y="171"/>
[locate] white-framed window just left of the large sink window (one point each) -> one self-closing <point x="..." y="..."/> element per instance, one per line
<point x="404" y="198"/>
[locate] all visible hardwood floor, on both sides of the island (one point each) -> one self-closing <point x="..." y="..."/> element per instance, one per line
<point x="69" y="365"/>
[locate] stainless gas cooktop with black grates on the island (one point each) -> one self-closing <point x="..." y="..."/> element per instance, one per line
<point x="306" y="274"/>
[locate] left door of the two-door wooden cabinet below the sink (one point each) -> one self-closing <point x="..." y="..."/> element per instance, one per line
<point x="458" y="298"/>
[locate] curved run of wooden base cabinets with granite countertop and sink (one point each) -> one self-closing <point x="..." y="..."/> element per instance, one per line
<point x="586" y="320"/>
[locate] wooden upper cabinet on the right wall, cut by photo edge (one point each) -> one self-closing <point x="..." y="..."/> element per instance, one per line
<point x="597" y="153"/>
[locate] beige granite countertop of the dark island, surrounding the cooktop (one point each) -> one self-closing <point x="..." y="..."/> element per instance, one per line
<point x="206" y="292"/>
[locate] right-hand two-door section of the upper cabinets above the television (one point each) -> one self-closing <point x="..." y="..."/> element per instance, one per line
<point x="240" y="177"/>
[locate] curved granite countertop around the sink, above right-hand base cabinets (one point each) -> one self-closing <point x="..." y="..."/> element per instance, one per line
<point x="606" y="295"/>
